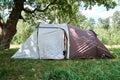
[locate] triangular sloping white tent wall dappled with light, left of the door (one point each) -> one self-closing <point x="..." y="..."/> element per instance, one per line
<point x="29" y="48"/>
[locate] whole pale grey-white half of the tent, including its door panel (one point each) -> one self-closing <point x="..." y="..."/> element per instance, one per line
<point x="47" y="42"/>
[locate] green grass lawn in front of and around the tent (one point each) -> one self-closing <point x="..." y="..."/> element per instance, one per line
<point x="88" y="69"/>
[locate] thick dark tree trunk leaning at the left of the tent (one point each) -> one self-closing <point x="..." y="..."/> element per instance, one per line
<point x="9" y="29"/>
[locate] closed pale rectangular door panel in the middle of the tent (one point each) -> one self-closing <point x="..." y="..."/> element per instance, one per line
<point x="50" y="43"/>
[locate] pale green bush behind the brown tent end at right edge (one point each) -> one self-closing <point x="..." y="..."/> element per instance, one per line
<point x="109" y="37"/>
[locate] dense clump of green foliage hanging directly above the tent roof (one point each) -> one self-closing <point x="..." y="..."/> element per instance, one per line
<point x="63" y="12"/>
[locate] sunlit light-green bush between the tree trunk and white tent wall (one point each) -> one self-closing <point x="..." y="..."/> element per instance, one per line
<point x="24" y="30"/>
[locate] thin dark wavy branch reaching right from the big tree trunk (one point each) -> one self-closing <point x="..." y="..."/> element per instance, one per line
<point x="43" y="10"/>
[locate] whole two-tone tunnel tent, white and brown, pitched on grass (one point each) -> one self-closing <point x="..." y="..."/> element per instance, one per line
<point x="62" y="41"/>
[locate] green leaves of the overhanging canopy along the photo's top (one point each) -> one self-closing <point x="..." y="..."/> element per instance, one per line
<point x="64" y="10"/>
